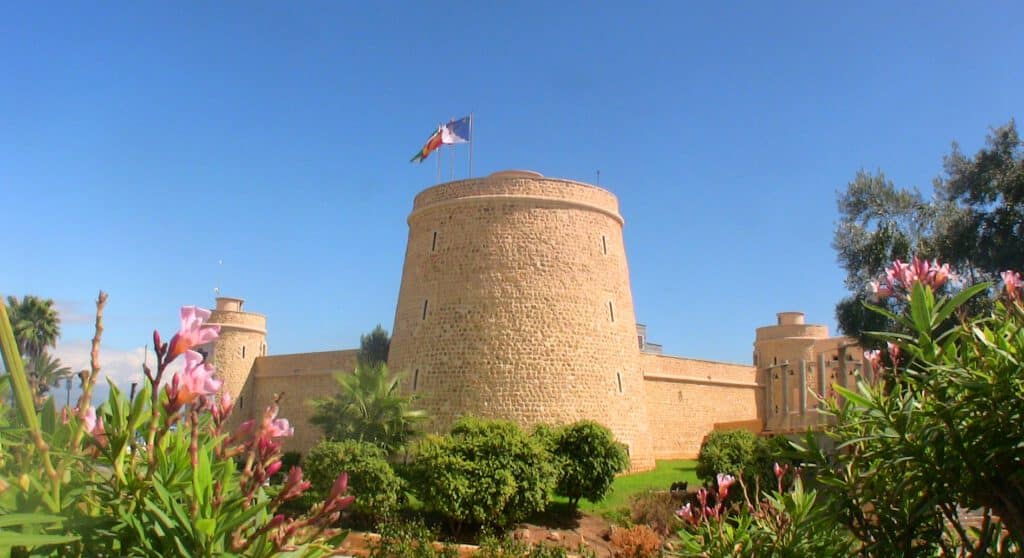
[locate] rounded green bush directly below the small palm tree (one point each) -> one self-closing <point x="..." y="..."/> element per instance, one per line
<point x="370" y="478"/>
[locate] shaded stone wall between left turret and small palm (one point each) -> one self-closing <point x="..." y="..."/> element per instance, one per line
<point x="296" y="379"/>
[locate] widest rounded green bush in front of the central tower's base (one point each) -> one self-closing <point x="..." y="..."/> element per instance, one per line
<point x="483" y="474"/>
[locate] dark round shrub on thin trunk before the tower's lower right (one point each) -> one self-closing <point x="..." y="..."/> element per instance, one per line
<point x="589" y="459"/>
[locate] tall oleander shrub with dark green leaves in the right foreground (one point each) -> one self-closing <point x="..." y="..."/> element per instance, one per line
<point x="941" y="435"/>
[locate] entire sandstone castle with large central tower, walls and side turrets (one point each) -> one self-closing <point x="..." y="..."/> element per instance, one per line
<point x="516" y="304"/>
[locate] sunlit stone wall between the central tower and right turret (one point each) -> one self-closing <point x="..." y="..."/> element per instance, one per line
<point x="688" y="399"/>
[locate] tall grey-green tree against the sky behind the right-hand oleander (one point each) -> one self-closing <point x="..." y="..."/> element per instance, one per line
<point x="974" y="223"/>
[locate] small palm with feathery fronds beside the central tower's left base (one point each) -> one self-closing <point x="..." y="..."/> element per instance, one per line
<point x="368" y="408"/>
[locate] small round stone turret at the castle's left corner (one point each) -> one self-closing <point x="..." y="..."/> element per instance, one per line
<point x="242" y="339"/>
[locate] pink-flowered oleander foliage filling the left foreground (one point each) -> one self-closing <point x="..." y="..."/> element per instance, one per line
<point x="155" y="477"/>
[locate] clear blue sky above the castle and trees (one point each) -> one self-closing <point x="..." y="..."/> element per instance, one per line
<point x="143" y="143"/>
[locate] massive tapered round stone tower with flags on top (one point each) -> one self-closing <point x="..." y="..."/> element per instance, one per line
<point x="516" y="304"/>
